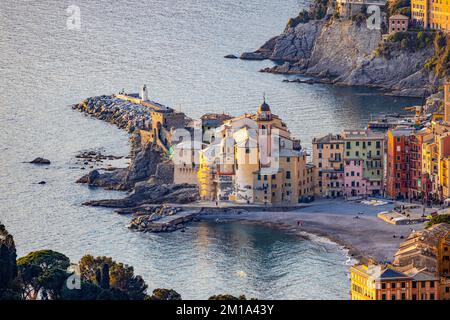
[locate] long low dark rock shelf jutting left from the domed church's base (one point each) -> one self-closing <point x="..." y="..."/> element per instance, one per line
<point x="147" y="193"/>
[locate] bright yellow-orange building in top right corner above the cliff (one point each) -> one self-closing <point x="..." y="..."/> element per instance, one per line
<point x="431" y="14"/>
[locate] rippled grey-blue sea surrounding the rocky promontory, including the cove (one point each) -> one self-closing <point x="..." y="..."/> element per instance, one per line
<point x="176" y="47"/>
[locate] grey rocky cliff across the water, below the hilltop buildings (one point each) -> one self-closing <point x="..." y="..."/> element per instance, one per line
<point x="346" y="52"/>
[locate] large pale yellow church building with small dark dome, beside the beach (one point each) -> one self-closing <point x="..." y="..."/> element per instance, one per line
<point x="254" y="159"/>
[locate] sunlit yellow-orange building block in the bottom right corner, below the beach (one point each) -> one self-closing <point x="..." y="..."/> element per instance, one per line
<point x="420" y="270"/>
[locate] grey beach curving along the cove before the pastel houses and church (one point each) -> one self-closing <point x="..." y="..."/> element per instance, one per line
<point x="365" y="237"/>
